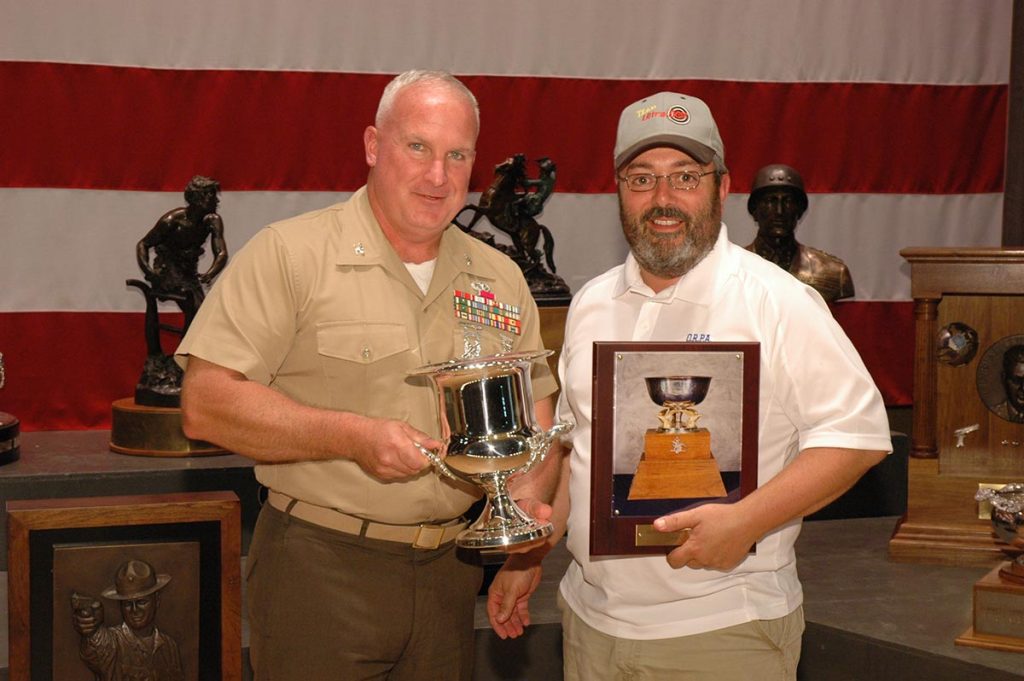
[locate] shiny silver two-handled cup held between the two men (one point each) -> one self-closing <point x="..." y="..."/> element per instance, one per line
<point x="486" y="407"/>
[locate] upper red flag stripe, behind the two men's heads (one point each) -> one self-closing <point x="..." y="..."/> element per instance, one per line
<point x="127" y="129"/>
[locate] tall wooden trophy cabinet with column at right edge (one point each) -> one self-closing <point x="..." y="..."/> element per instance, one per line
<point x="983" y="288"/>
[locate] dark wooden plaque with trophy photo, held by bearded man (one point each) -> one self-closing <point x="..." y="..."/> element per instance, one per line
<point x="642" y="467"/>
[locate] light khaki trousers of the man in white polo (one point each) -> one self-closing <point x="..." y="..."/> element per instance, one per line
<point x="765" y="651"/>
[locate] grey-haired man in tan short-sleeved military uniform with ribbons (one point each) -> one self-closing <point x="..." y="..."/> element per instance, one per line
<point x="301" y="358"/>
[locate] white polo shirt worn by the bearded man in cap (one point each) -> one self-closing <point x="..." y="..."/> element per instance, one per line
<point x="815" y="392"/>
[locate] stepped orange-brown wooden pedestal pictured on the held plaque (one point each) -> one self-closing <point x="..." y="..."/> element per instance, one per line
<point x="677" y="466"/>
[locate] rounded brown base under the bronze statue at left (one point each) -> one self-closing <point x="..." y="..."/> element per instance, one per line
<point x="153" y="432"/>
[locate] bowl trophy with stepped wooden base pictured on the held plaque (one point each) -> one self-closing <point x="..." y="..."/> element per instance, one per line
<point x="677" y="461"/>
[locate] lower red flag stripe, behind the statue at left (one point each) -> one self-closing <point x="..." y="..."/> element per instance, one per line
<point x="66" y="369"/>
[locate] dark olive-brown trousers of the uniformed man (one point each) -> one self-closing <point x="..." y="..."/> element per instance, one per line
<point x="326" y="606"/>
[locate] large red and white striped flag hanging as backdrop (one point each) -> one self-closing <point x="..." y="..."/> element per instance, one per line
<point x="894" y="112"/>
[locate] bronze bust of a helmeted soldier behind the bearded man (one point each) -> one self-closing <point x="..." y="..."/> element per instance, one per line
<point x="778" y="202"/>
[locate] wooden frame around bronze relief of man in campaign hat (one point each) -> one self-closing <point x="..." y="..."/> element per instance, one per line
<point x="60" y="547"/>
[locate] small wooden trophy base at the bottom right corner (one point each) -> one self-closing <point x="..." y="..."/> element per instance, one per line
<point x="999" y="615"/>
